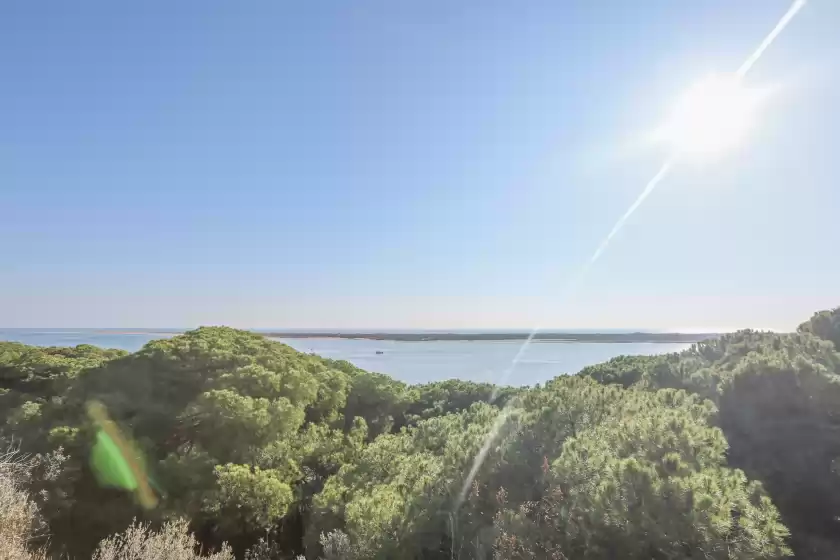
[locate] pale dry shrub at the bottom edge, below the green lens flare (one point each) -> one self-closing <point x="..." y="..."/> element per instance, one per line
<point x="172" y="542"/>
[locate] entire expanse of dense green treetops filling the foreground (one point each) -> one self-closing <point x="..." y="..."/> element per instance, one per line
<point x="727" y="450"/>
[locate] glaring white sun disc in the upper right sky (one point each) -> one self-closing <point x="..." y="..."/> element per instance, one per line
<point x="711" y="118"/>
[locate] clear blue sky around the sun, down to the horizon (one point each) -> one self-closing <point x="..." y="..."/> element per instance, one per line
<point x="407" y="164"/>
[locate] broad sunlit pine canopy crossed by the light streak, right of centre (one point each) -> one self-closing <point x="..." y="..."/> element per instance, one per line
<point x="639" y="473"/>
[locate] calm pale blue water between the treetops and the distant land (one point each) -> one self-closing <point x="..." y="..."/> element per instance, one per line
<point x="413" y="362"/>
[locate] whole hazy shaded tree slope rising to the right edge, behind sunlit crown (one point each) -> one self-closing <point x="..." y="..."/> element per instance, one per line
<point x="779" y="401"/>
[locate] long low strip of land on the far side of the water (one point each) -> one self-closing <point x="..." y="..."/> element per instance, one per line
<point x="548" y="336"/>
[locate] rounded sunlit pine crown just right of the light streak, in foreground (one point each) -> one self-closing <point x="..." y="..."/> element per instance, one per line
<point x="654" y="486"/>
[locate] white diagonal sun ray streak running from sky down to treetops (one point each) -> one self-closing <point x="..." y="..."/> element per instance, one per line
<point x="575" y="281"/>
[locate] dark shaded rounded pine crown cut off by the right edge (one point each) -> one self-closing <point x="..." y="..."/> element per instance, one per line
<point x="780" y="415"/>
